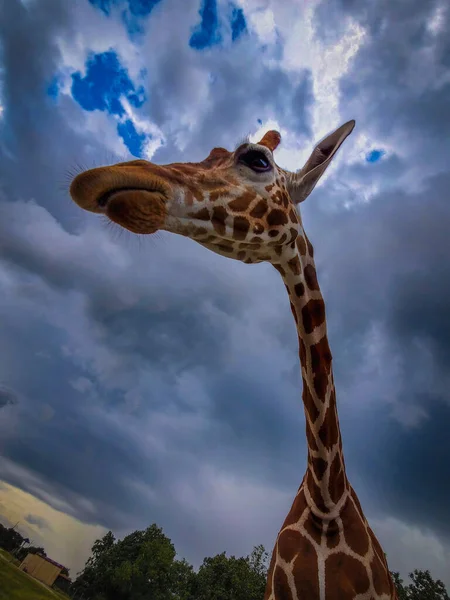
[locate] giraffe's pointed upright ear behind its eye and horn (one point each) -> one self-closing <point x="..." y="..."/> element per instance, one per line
<point x="302" y="183"/>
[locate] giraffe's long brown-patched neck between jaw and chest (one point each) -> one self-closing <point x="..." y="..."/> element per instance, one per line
<point x="325" y="483"/>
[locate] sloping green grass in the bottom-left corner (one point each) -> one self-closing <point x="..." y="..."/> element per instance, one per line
<point x="16" y="585"/>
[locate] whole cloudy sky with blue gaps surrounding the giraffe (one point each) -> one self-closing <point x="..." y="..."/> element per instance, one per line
<point x="148" y="380"/>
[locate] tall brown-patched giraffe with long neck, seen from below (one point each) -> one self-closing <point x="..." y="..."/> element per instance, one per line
<point x="242" y="205"/>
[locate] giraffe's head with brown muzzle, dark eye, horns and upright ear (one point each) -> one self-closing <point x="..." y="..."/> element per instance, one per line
<point x="239" y="204"/>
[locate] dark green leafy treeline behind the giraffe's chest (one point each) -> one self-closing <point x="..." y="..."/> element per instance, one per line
<point x="144" y="566"/>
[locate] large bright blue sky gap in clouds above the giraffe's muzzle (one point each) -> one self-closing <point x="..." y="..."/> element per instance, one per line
<point x="104" y="84"/>
